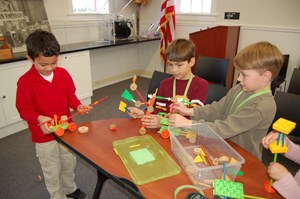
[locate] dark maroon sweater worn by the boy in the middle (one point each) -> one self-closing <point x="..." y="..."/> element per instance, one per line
<point x="198" y="90"/>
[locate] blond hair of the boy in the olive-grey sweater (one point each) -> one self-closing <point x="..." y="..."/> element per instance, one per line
<point x="261" y="56"/>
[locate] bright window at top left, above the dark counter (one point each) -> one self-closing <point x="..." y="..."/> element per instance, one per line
<point x="90" y="6"/>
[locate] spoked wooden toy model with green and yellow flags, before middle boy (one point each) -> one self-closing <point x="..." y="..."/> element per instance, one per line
<point x="151" y="104"/>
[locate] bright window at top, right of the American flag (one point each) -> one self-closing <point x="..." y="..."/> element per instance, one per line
<point x="193" y="6"/>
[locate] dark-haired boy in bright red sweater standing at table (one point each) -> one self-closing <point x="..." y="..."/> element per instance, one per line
<point x="43" y="91"/>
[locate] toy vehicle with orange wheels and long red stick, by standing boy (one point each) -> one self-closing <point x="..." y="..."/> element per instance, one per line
<point x="58" y="124"/>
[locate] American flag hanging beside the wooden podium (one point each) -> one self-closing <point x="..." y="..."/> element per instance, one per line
<point x="167" y="26"/>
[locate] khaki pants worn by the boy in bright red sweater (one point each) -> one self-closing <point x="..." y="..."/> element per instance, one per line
<point x="58" y="164"/>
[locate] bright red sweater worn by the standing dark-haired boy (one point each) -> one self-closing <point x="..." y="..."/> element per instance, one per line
<point x="37" y="96"/>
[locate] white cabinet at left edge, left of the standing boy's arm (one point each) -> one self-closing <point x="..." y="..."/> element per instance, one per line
<point x="9" y="75"/>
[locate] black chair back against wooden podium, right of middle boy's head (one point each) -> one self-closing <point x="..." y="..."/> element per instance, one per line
<point x="214" y="70"/>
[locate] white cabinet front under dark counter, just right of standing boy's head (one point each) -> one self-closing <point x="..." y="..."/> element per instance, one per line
<point x="79" y="67"/>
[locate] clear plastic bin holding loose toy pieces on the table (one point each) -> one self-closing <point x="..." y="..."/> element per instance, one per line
<point x="185" y="144"/>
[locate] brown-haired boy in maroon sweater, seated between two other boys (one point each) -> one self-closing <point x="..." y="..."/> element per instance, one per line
<point x="184" y="84"/>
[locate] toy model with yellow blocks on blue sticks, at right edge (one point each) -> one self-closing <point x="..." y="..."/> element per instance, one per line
<point x="284" y="127"/>
